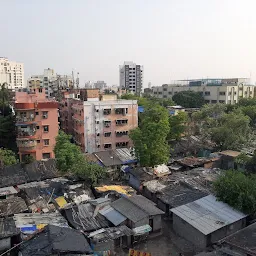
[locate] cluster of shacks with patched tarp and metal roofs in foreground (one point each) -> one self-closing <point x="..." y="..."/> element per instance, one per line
<point x="44" y="213"/>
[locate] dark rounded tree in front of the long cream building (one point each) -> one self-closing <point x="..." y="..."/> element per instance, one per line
<point x="188" y="99"/>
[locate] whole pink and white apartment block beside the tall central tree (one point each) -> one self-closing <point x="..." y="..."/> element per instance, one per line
<point x="98" y="122"/>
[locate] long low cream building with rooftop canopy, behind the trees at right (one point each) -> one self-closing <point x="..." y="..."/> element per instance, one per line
<point x="227" y="91"/>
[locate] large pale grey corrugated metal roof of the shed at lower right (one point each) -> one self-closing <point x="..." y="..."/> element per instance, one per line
<point x="207" y="214"/>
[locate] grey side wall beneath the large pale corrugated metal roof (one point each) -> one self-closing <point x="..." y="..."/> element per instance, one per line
<point x="188" y="232"/>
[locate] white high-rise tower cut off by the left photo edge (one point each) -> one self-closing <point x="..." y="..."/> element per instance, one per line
<point x="12" y="73"/>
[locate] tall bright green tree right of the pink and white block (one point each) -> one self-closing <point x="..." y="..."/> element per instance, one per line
<point x="149" y="139"/>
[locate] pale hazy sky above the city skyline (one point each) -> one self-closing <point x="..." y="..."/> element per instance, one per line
<point x="173" y="39"/>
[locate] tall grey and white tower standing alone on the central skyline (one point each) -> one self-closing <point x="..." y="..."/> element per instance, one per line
<point x="131" y="77"/>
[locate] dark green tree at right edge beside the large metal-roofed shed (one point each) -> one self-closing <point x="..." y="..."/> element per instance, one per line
<point x="238" y="190"/>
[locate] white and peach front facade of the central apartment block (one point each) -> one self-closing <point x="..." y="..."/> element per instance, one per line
<point x="107" y="124"/>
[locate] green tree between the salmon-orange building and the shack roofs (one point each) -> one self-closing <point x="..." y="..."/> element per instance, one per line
<point x="70" y="159"/>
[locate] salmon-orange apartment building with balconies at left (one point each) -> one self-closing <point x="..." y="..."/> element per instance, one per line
<point x="37" y="124"/>
